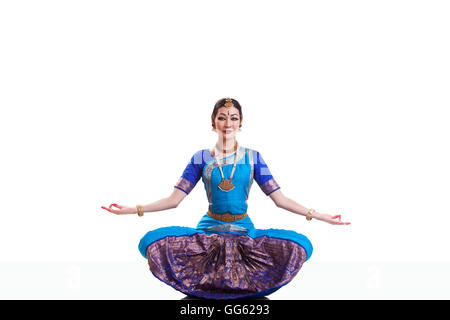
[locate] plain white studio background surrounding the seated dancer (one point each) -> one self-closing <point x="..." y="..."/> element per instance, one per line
<point x="106" y="101"/>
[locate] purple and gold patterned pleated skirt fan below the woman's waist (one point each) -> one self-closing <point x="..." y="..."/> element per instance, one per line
<point x="225" y="265"/>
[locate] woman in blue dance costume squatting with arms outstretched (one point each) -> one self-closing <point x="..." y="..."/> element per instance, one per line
<point x="225" y="257"/>
